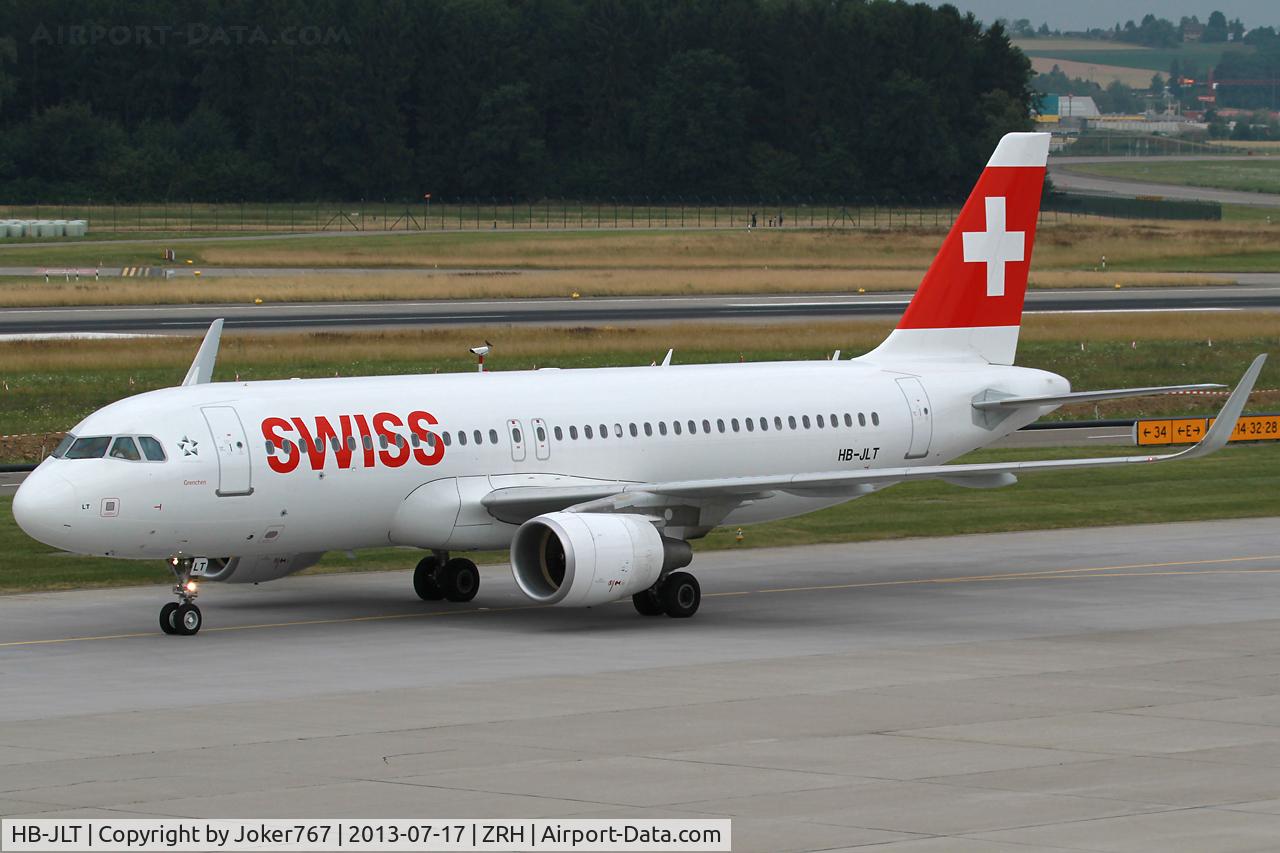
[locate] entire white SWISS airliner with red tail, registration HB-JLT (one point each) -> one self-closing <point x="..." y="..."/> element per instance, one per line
<point x="597" y="480"/>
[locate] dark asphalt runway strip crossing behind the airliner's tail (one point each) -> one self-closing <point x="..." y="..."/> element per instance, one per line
<point x="1261" y="291"/>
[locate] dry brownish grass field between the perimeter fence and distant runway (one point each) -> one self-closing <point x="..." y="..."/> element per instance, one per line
<point x="633" y="263"/>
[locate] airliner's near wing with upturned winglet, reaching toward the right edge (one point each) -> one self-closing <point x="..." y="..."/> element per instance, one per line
<point x="519" y="504"/>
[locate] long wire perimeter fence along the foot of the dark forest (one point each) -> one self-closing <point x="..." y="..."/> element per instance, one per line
<point x="514" y="216"/>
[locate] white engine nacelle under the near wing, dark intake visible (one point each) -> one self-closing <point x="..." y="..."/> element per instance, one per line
<point x="583" y="559"/>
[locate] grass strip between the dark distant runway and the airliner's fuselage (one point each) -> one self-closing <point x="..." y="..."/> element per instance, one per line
<point x="48" y="386"/>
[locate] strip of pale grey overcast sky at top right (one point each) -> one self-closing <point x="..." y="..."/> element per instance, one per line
<point x="1082" y="15"/>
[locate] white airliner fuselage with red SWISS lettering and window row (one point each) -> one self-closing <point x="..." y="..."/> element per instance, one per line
<point x="220" y="494"/>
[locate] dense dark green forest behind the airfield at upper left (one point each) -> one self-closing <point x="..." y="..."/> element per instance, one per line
<point x="225" y="101"/>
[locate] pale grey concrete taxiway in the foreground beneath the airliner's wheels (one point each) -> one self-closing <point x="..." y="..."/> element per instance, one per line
<point x="1108" y="690"/>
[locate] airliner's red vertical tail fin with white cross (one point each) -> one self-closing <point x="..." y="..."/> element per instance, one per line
<point x="971" y="302"/>
